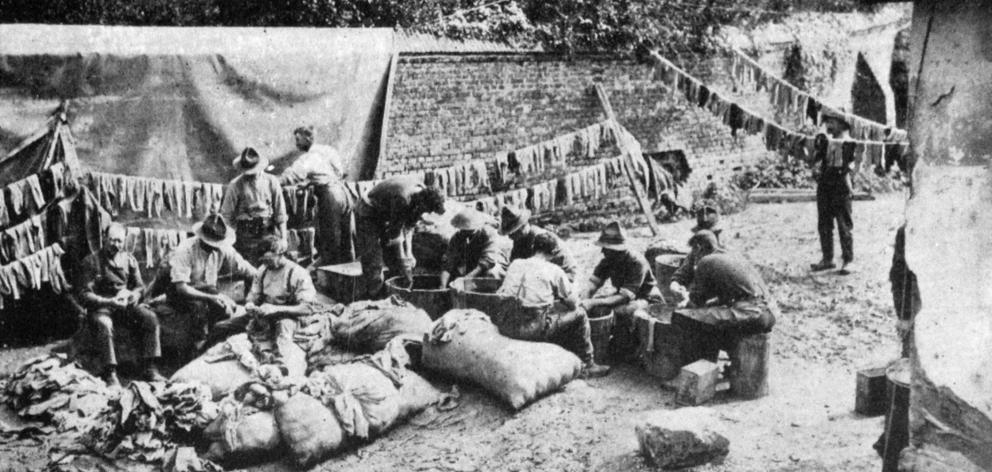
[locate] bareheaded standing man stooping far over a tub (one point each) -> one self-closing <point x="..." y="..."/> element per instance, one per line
<point x="384" y="221"/>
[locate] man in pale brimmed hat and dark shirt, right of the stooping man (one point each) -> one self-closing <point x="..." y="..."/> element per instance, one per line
<point x="474" y="250"/>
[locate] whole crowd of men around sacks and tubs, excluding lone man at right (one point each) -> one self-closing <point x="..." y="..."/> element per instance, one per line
<point x="721" y="294"/>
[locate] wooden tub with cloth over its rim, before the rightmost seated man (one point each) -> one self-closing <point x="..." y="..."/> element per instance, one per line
<point x="660" y="343"/>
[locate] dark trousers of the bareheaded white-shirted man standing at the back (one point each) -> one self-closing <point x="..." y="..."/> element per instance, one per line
<point x="332" y="225"/>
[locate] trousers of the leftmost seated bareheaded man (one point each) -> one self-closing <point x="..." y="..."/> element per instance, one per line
<point x="136" y="318"/>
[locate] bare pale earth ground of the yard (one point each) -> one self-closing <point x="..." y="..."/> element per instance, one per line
<point x="830" y="326"/>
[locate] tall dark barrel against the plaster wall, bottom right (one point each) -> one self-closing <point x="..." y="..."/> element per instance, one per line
<point x="898" y="376"/>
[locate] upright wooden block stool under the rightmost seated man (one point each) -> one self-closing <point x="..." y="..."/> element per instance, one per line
<point x="749" y="357"/>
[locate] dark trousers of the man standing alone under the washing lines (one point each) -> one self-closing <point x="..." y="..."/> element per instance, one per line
<point x="833" y="203"/>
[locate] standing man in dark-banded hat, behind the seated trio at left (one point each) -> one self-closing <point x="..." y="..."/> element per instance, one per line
<point x="254" y="204"/>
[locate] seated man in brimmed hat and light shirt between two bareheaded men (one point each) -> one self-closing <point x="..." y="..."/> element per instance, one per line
<point x="195" y="267"/>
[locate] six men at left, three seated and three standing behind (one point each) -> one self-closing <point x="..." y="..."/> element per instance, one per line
<point x="246" y="241"/>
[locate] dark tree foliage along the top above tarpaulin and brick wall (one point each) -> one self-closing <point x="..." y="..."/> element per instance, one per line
<point x="675" y="26"/>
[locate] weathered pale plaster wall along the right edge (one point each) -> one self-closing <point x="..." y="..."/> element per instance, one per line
<point x="948" y="226"/>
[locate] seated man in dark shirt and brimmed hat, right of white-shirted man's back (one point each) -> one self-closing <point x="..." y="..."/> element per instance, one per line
<point x="631" y="276"/>
